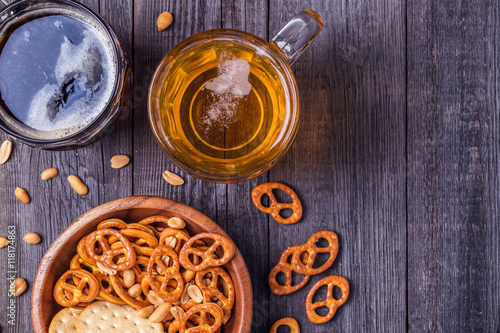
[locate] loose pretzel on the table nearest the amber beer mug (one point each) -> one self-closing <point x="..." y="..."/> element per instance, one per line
<point x="276" y="207"/>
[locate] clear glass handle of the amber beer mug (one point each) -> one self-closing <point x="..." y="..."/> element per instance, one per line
<point x="298" y="34"/>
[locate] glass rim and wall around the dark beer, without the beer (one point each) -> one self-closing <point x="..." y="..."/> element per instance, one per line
<point x="116" y="105"/>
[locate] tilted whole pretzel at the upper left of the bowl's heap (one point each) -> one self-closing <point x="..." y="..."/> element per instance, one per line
<point x="108" y="255"/>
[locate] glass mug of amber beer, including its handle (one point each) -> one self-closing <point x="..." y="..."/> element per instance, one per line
<point x="224" y="105"/>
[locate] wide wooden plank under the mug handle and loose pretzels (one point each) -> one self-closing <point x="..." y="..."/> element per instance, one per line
<point x="348" y="161"/>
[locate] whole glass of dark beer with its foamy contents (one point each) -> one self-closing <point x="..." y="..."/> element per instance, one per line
<point x="64" y="76"/>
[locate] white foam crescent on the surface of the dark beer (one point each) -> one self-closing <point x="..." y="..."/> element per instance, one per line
<point x="83" y="65"/>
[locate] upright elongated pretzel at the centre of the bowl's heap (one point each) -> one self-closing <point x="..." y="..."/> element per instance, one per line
<point x="167" y="273"/>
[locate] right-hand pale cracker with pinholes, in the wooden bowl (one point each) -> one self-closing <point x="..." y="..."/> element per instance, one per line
<point x="106" y="317"/>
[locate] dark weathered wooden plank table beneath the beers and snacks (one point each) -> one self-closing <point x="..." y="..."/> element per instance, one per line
<point x="397" y="152"/>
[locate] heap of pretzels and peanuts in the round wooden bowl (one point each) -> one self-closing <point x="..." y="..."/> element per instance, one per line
<point x="152" y="263"/>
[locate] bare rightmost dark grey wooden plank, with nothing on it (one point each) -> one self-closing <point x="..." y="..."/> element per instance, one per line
<point x="453" y="135"/>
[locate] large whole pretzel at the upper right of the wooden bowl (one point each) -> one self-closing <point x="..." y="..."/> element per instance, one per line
<point x="206" y="256"/>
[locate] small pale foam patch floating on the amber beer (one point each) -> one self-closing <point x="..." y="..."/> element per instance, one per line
<point x="228" y="88"/>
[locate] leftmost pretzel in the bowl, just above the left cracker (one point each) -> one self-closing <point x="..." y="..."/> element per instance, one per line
<point x="75" y="287"/>
